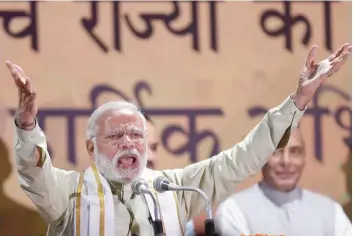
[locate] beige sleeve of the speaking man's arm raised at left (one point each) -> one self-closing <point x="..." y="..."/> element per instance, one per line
<point x="45" y="185"/>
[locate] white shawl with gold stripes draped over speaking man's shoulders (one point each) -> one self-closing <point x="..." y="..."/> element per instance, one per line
<point x="94" y="206"/>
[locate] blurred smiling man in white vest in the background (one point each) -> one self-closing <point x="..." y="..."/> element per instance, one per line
<point x="277" y="206"/>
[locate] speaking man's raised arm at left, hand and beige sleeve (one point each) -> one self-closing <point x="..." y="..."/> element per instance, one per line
<point x="48" y="187"/>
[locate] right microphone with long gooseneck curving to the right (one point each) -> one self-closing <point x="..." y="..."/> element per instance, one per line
<point x="162" y="184"/>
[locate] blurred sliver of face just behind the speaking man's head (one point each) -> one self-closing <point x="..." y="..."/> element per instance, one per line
<point x="152" y="146"/>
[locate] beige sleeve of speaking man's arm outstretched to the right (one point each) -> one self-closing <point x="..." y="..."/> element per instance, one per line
<point x="218" y="175"/>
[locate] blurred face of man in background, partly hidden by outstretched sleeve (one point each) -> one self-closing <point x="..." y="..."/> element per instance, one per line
<point x="284" y="169"/>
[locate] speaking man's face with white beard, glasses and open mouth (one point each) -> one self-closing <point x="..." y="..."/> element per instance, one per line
<point x="120" y="145"/>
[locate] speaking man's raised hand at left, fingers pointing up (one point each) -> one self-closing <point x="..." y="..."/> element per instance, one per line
<point x="27" y="107"/>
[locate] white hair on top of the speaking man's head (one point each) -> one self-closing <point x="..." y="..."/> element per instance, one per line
<point x="110" y="106"/>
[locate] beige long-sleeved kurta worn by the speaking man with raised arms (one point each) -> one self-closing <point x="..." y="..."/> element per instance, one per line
<point x="53" y="190"/>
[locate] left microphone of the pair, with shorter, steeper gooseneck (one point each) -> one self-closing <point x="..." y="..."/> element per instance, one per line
<point x="141" y="187"/>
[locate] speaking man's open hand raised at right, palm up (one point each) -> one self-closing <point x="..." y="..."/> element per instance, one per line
<point x="314" y="74"/>
